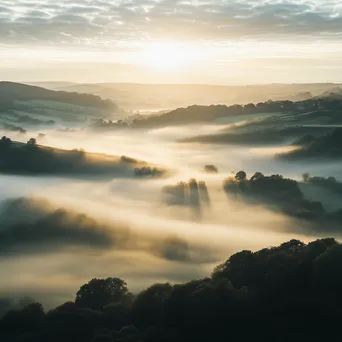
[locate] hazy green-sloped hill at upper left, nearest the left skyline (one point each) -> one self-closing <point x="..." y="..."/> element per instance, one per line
<point x="25" y="106"/>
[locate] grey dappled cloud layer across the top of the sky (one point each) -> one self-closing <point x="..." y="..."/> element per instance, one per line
<point x="99" y="22"/>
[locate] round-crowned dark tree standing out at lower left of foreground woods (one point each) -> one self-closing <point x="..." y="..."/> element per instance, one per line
<point x="100" y="292"/>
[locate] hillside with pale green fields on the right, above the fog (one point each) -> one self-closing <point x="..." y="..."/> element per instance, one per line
<point x="281" y="122"/>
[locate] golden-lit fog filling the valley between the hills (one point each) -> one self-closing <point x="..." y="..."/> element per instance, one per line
<point x="79" y="229"/>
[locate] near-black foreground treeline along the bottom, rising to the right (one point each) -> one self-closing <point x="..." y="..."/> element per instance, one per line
<point x="292" y="292"/>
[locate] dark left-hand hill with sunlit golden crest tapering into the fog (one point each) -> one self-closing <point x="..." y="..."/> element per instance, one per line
<point x="32" y="159"/>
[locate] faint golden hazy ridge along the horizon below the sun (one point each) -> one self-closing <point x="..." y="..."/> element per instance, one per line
<point x="135" y="96"/>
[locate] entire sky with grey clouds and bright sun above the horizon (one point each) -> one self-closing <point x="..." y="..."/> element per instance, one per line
<point x="171" y="41"/>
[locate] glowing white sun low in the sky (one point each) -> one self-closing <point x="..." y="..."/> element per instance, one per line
<point x="165" y="56"/>
